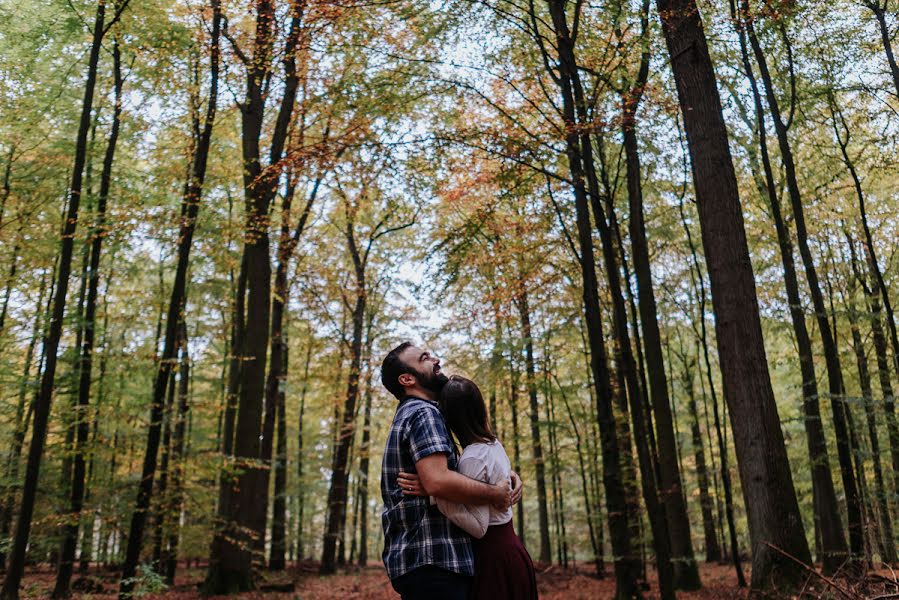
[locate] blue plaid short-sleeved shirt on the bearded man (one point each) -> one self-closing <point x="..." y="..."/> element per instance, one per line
<point x="415" y="532"/>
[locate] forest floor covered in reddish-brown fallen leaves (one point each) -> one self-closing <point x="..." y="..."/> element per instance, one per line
<point x="370" y="583"/>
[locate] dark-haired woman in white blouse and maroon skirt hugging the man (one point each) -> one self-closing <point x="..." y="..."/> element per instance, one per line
<point x="503" y="568"/>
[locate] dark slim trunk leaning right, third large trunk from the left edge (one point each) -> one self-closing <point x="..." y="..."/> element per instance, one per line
<point x="189" y="210"/>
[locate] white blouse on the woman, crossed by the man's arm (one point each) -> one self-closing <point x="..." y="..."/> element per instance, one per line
<point x="485" y="462"/>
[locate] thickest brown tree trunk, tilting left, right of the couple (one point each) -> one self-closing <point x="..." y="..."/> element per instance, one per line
<point x="770" y="499"/>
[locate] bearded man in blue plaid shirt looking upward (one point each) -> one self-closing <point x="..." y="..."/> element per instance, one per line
<point x="426" y="556"/>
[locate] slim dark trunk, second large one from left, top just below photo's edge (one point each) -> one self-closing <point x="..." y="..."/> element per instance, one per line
<point x="82" y="423"/>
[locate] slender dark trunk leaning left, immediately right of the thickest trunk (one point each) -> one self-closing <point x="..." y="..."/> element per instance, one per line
<point x="826" y="508"/>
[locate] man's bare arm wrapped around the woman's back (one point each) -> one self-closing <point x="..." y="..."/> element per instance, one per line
<point x="438" y="480"/>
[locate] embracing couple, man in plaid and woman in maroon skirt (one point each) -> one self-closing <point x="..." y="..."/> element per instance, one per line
<point x="447" y="517"/>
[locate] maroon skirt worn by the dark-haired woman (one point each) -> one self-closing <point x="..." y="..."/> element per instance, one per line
<point x="502" y="567"/>
